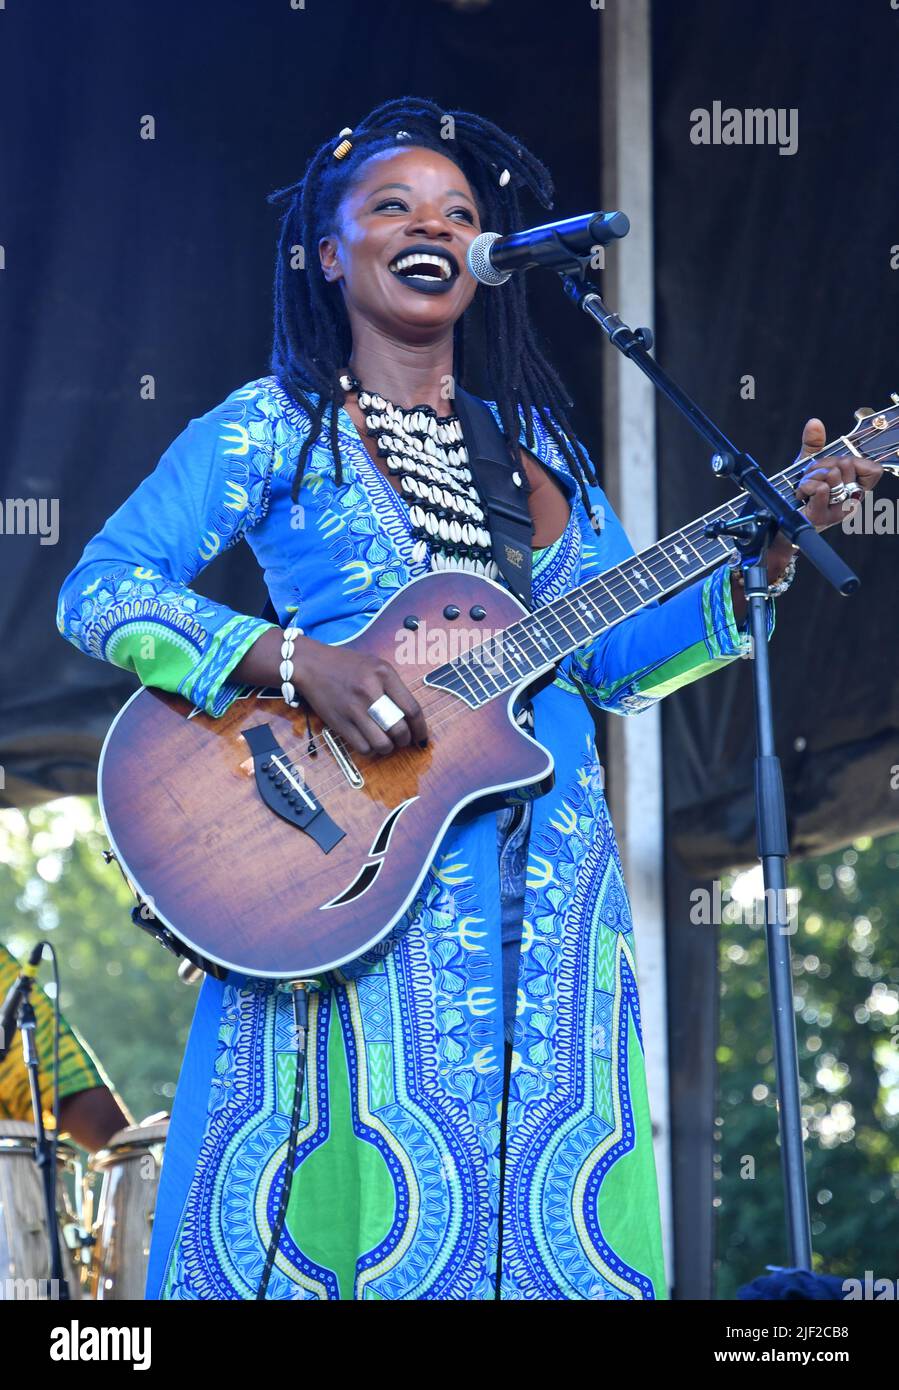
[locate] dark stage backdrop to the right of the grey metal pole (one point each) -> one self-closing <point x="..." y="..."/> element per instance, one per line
<point x="773" y="266"/>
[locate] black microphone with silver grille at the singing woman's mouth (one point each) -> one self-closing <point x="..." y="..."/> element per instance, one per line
<point x="555" y="247"/>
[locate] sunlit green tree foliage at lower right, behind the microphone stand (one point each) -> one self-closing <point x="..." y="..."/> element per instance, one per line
<point x="846" y="953"/>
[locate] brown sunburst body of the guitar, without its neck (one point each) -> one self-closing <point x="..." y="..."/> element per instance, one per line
<point x="181" y="797"/>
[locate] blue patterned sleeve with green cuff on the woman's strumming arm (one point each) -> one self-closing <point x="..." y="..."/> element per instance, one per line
<point x="129" y="600"/>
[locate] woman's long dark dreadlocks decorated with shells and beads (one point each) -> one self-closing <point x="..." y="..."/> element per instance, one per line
<point x="313" y="341"/>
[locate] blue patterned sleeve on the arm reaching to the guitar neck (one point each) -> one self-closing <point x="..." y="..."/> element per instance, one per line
<point x="663" y="647"/>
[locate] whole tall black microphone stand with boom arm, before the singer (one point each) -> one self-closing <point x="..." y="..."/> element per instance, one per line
<point x="752" y="536"/>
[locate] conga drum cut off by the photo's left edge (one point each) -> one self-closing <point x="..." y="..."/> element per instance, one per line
<point x="24" y="1243"/>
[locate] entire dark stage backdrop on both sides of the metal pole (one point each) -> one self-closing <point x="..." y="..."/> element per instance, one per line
<point x="129" y="258"/>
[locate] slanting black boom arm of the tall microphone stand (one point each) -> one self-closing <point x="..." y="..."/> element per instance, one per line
<point x="727" y="461"/>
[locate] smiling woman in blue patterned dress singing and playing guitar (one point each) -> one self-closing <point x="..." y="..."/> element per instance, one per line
<point x="497" y="1031"/>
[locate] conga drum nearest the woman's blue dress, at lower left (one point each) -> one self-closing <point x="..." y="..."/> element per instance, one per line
<point x="130" y="1177"/>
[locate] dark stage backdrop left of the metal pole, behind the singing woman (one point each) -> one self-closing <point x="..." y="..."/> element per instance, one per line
<point x="130" y="258"/>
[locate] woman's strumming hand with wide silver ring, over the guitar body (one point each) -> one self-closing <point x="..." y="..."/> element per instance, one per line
<point x="341" y="685"/>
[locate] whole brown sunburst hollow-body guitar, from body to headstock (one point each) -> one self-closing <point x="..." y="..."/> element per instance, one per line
<point x="267" y="851"/>
